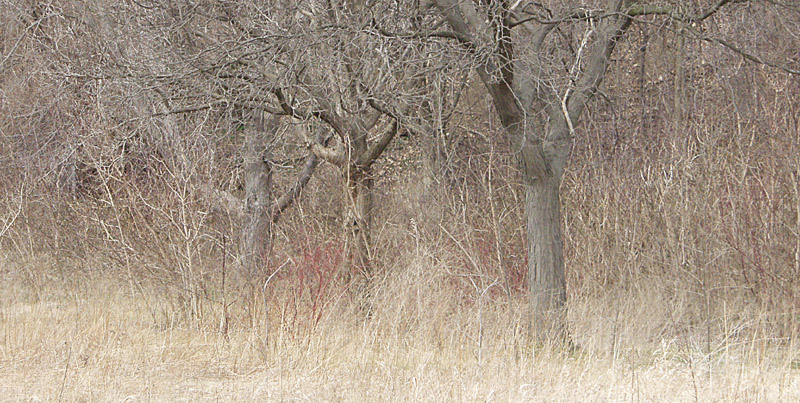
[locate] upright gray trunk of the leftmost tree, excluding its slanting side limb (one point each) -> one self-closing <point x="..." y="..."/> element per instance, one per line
<point x="255" y="230"/>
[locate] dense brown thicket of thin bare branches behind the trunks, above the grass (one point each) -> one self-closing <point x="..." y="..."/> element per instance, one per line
<point x="116" y="119"/>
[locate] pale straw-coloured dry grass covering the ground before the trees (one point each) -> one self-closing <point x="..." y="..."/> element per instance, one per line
<point x="97" y="340"/>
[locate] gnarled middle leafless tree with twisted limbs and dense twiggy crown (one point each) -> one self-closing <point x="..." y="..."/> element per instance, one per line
<point x="322" y="64"/>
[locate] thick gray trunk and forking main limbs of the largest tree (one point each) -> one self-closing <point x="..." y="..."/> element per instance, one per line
<point x="541" y="144"/>
